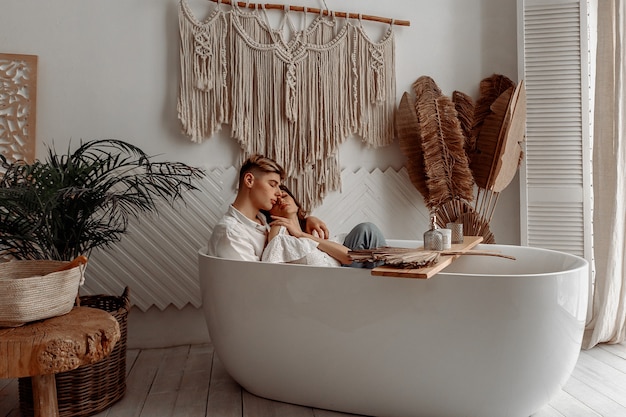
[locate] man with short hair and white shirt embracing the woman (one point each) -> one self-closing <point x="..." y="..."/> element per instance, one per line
<point x="242" y="231"/>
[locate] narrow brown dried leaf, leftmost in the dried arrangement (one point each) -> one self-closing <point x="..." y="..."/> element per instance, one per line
<point x="410" y="140"/>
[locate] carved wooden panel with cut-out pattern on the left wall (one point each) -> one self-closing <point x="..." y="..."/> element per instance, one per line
<point x="18" y="106"/>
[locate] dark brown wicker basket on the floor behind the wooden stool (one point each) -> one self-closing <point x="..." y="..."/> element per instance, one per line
<point x="92" y="388"/>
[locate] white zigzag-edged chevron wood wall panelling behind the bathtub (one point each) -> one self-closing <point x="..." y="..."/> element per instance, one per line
<point x="158" y="257"/>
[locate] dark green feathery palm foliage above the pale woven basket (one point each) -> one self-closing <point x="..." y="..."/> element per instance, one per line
<point x="70" y="203"/>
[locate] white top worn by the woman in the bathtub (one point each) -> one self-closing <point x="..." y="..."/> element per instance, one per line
<point x="284" y="248"/>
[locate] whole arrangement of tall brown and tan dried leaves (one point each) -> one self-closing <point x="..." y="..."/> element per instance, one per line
<point x="458" y="152"/>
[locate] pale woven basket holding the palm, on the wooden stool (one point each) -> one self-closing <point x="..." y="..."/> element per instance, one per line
<point x="36" y="290"/>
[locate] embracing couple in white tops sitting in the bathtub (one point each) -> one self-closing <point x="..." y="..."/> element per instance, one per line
<point x="265" y="222"/>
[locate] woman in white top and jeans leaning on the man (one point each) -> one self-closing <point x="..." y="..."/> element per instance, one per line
<point x="288" y="243"/>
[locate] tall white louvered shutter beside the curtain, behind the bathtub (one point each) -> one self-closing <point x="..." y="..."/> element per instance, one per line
<point x="556" y="195"/>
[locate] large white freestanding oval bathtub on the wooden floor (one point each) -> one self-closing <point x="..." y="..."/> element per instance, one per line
<point x="486" y="337"/>
